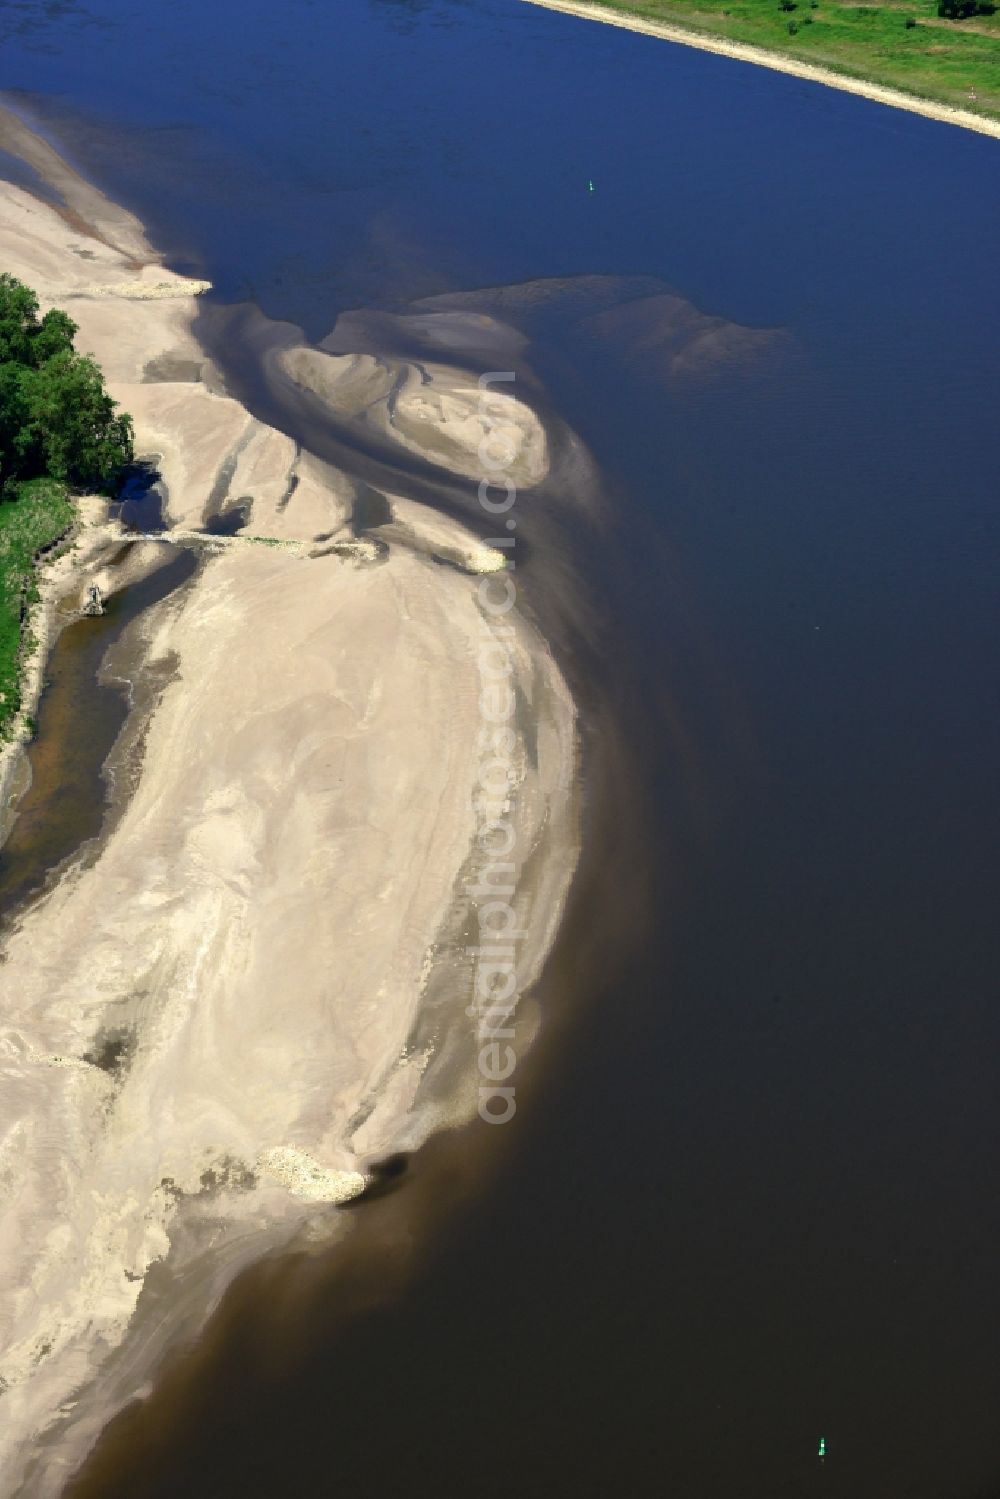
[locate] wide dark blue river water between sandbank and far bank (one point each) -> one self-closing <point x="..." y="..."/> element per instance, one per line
<point x="755" y="1201"/>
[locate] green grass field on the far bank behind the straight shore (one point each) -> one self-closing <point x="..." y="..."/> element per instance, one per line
<point x="936" y="59"/>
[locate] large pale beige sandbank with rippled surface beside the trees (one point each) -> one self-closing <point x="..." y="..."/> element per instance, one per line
<point x="217" y="1028"/>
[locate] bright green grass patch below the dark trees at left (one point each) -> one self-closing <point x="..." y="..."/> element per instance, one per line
<point x="40" y="515"/>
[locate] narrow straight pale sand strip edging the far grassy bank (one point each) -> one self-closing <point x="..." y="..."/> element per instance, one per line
<point x="744" y="53"/>
